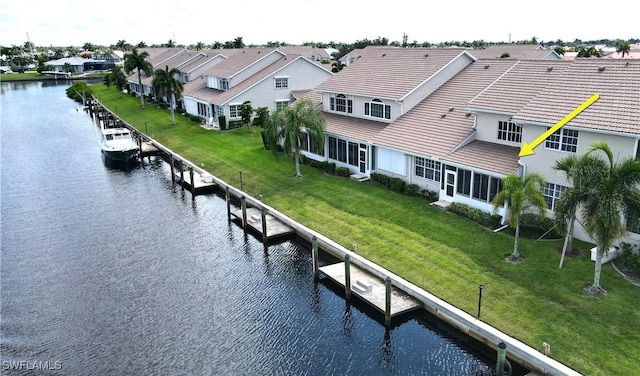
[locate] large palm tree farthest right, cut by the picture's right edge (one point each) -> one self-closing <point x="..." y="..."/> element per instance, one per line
<point x="612" y="191"/>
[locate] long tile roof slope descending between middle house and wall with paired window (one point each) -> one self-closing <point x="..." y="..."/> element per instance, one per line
<point x="424" y="130"/>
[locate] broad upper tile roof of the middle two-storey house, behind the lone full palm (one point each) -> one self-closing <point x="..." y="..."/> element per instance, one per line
<point x="388" y="72"/>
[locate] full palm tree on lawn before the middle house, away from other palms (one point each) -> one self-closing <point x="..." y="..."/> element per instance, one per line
<point x="288" y="125"/>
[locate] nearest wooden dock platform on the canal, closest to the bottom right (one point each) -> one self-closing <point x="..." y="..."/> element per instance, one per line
<point x="371" y="289"/>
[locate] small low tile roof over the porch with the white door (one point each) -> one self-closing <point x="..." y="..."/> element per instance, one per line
<point x="487" y="156"/>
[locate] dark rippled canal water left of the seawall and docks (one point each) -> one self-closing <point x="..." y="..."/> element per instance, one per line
<point x="112" y="271"/>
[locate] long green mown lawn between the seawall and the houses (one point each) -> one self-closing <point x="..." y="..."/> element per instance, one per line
<point x="445" y="254"/>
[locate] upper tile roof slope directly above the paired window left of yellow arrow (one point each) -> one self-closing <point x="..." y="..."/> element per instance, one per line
<point x="518" y="85"/>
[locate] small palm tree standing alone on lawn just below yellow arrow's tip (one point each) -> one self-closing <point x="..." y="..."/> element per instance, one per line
<point x="520" y="195"/>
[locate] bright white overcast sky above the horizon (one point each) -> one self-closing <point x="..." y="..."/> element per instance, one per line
<point x="64" y="23"/>
